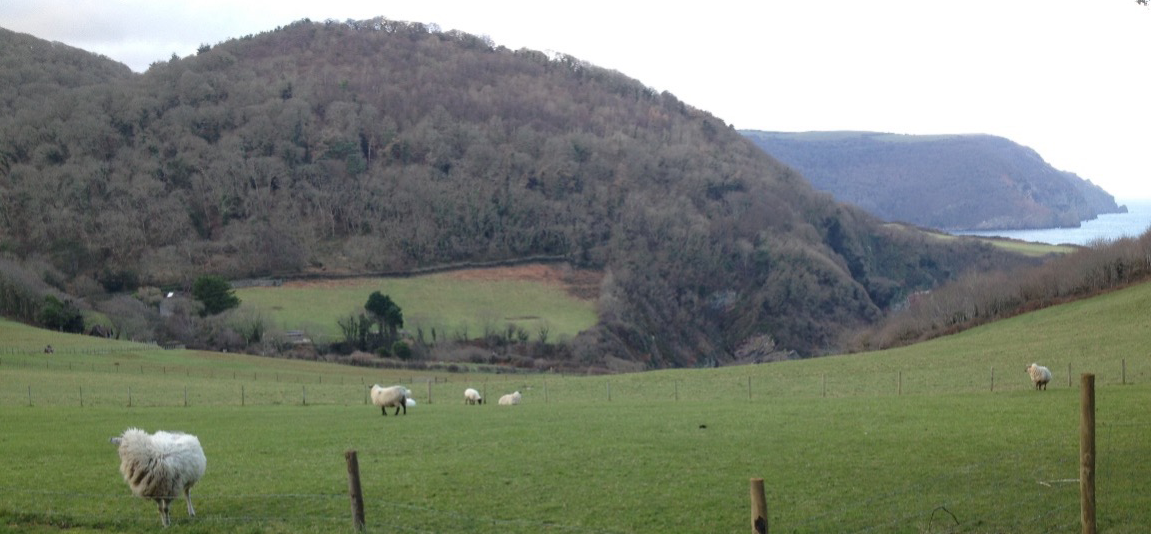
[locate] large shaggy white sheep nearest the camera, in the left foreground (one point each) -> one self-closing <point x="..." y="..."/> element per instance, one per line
<point x="161" y="467"/>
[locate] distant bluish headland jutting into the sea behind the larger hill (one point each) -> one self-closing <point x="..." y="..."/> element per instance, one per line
<point x="961" y="182"/>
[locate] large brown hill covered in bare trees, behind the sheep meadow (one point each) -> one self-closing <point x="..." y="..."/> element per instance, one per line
<point x="382" y="147"/>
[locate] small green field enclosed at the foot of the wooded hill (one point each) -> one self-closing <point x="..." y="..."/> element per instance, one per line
<point x="451" y="307"/>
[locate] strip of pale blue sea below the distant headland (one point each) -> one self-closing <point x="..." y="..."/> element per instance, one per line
<point x="1109" y="227"/>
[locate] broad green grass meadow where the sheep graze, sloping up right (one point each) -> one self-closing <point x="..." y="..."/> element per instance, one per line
<point x="946" y="437"/>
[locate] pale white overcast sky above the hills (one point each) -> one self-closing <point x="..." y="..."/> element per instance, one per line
<point x="1065" y="78"/>
